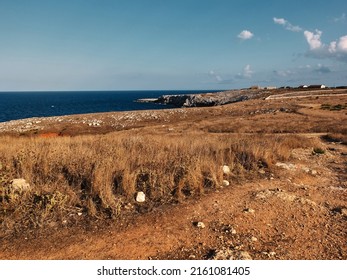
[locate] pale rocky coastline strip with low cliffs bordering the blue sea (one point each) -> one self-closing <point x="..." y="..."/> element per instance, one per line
<point x="104" y="122"/>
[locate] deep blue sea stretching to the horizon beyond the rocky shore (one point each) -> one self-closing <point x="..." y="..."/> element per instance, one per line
<point x="21" y="105"/>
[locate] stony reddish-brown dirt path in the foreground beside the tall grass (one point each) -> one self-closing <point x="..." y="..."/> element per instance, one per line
<point x="299" y="213"/>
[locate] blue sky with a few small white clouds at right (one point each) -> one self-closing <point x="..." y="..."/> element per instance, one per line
<point x="162" y="44"/>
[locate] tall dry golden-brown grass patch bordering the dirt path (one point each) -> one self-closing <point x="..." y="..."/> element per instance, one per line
<point x="100" y="175"/>
